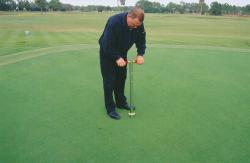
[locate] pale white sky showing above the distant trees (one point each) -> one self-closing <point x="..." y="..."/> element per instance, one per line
<point x="132" y="2"/>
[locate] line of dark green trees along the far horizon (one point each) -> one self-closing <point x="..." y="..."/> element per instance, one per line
<point x="201" y="7"/>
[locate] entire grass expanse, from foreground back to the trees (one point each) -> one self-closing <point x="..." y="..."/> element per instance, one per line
<point x="192" y="93"/>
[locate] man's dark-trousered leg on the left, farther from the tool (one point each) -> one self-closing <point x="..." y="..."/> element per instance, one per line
<point x="108" y="75"/>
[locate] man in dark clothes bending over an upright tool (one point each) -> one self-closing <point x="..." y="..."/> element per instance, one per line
<point x="120" y="33"/>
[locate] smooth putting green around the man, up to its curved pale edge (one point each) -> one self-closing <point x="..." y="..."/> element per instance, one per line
<point x="192" y="106"/>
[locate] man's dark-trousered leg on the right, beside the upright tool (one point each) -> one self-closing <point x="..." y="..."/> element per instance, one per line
<point x="121" y="75"/>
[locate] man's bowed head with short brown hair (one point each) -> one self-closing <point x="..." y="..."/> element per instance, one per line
<point x="135" y="17"/>
